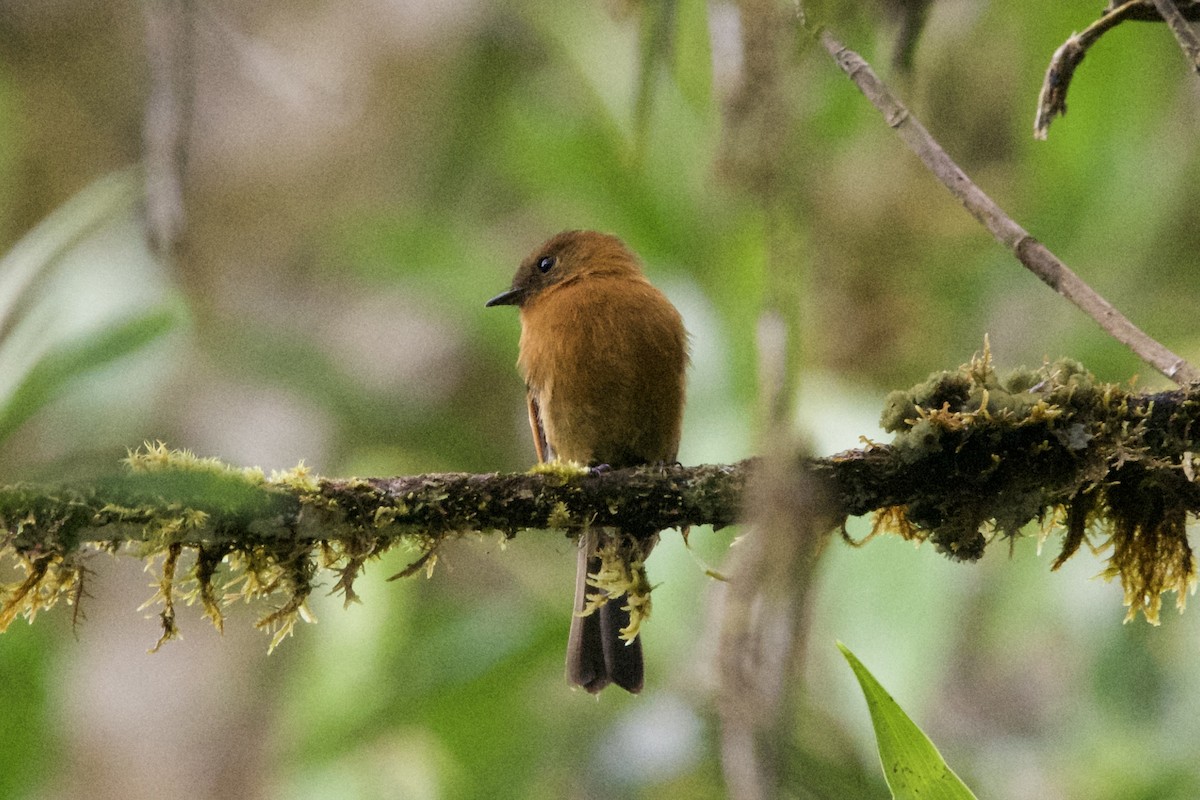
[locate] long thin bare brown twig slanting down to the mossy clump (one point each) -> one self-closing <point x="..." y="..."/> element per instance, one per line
<point x="1033" y="254"/>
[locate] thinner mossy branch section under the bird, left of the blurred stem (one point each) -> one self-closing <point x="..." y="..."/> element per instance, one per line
<point x="275" y="534"/>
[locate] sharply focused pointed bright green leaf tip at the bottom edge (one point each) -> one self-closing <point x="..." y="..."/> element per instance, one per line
<point x="913" y="767"/>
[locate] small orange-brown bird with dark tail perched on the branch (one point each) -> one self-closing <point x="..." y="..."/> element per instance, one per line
<point x="604" y="356"/>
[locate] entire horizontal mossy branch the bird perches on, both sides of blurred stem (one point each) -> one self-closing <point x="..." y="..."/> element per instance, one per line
<point x="976" y="458"/>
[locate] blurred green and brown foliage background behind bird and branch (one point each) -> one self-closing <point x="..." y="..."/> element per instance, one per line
<point x="265" y="232"/>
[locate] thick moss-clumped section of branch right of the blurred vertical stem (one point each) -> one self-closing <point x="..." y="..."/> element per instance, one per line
<point x="979" y="455"/>
